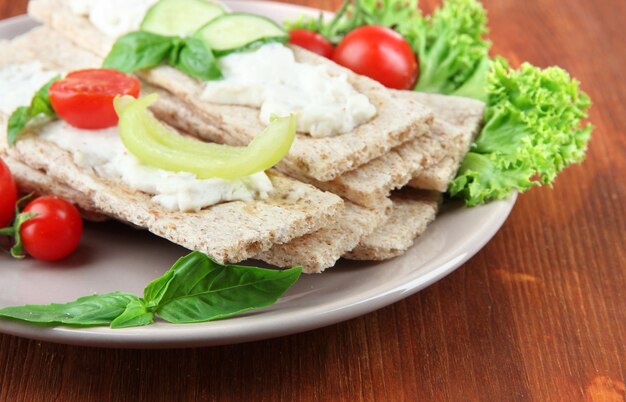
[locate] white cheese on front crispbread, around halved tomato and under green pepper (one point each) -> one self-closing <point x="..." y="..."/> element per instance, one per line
<point x="104" y="152"/>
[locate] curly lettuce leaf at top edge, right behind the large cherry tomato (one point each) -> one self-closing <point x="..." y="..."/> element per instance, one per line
<point x="453" y="51"/>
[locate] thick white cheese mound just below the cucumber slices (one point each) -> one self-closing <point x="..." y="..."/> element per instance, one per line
<point x="271" y="79"/>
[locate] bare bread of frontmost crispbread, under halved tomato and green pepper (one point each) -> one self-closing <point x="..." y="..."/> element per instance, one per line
<point x="228" y="232"/>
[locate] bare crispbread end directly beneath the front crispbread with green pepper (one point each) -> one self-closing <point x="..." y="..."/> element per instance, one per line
<point x="320" y="250"/>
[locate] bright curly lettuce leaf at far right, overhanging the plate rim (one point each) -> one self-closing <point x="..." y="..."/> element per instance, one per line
<point x="533" y="130"/>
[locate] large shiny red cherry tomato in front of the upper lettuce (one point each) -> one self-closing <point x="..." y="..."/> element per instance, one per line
<point x="381" y="54"/>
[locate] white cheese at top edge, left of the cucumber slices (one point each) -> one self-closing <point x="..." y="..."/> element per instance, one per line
<point x="113" y="17"/>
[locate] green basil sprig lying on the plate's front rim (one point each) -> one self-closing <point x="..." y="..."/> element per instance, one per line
<point x="195" y="289"/>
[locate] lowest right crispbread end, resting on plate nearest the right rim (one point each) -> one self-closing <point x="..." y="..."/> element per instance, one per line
<point x="412" y="212"/>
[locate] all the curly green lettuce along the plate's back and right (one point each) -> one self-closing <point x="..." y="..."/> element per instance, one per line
<point x="533" y="120"/>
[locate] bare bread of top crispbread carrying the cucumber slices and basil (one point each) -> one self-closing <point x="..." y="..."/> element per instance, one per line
<point x="322" y="159"/>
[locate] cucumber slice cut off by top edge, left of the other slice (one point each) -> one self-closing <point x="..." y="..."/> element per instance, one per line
<point x="179" y="17"/>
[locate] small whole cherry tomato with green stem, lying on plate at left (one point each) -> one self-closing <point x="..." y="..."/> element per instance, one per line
<point x="56" y="230"/>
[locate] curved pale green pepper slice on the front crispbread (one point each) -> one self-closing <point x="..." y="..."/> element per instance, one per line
<point x="154" y="144"/>
